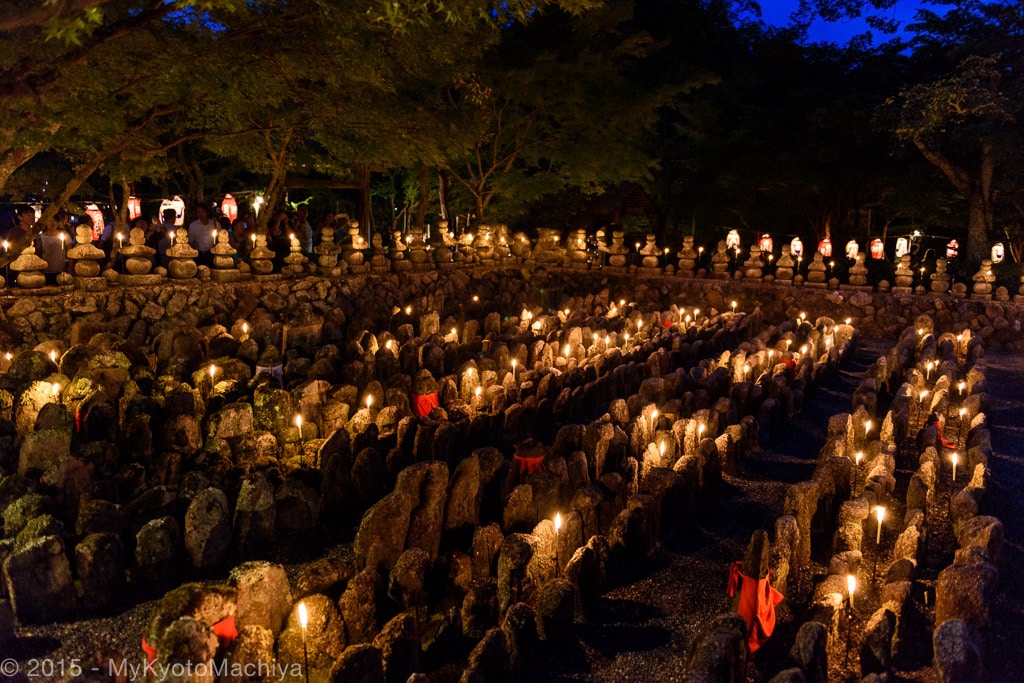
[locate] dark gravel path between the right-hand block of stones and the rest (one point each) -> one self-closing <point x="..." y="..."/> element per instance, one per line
<point x="649" y="622"/>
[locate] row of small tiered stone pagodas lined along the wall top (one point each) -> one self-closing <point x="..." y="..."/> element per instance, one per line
<point x="487" y="246"/>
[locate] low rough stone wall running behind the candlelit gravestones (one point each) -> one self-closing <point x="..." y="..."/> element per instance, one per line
<point x="141" y="314"/>
